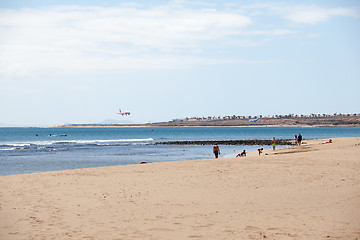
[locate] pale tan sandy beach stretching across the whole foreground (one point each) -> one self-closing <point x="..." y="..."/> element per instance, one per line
<point x="306" y="192"/>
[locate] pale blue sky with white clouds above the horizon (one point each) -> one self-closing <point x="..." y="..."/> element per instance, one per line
<point x="80" y="61"/>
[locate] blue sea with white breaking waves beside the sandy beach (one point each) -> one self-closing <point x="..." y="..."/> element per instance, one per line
<point x="29" y="150"/>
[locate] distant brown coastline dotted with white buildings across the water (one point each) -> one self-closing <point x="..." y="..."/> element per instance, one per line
<point x="314" y="120"/>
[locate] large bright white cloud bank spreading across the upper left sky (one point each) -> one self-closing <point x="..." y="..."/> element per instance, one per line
<point x="74" y="37"/>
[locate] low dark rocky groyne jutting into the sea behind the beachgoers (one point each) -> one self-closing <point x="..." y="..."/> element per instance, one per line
<point x="229" y="142"/>
